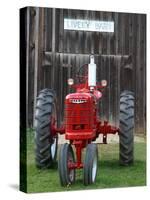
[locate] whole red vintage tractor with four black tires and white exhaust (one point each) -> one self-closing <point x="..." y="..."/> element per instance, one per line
<point x="81" y="127"/>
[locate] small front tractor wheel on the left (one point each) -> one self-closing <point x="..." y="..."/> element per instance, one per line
<point x="66" y="158"/>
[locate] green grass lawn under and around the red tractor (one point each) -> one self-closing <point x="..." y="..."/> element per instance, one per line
<point x="110" y="174"/>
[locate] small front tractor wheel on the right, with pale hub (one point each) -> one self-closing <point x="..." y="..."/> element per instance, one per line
<point x="90" y="164"/>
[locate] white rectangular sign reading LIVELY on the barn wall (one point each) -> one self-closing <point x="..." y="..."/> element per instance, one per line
<point x="88" y="25"/>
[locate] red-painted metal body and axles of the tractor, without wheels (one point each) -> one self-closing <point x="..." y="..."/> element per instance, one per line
<point x="81" y="122"/>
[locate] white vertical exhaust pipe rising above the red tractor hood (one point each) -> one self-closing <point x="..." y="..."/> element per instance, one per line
<point x="92" y="73"/>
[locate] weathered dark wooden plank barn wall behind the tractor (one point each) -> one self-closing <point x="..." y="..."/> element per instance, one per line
<point x="59" y="54"/>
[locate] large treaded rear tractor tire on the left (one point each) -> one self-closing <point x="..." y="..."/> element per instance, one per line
<point x="45" y="117"/>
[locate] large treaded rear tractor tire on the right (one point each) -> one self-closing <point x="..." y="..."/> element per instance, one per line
<point x="126" y="136"/>
